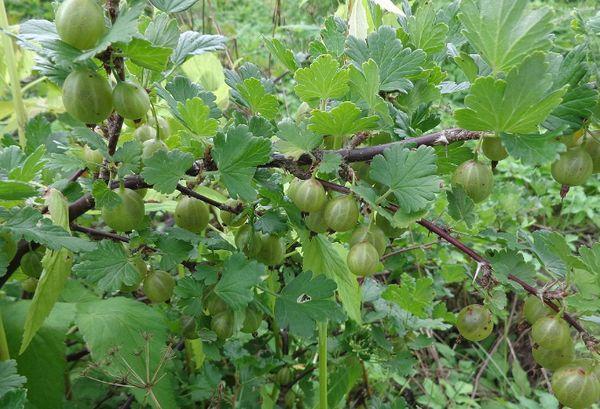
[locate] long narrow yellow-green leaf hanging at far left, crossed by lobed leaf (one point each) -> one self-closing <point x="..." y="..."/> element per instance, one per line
<point x="57" y="266"/>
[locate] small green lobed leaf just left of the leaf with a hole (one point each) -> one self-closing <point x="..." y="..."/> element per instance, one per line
<point x="239" y="277"/>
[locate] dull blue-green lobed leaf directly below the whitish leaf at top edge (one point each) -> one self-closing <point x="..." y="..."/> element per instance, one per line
<point x="396" y="63"/>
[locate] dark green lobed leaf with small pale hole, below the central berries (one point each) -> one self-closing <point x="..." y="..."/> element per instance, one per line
<point x="304" y="301"/>
